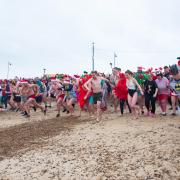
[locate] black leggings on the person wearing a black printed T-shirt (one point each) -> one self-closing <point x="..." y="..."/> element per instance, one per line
<point x="150" y="100"/>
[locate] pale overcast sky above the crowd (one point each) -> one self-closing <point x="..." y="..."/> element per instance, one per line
<point x="58" y="35"/>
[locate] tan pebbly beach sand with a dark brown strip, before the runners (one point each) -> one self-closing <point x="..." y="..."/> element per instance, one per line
<point x="79" y="148"/>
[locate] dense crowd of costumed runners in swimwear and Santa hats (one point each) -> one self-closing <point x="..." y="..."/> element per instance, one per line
<point x="138" y="92"/>
